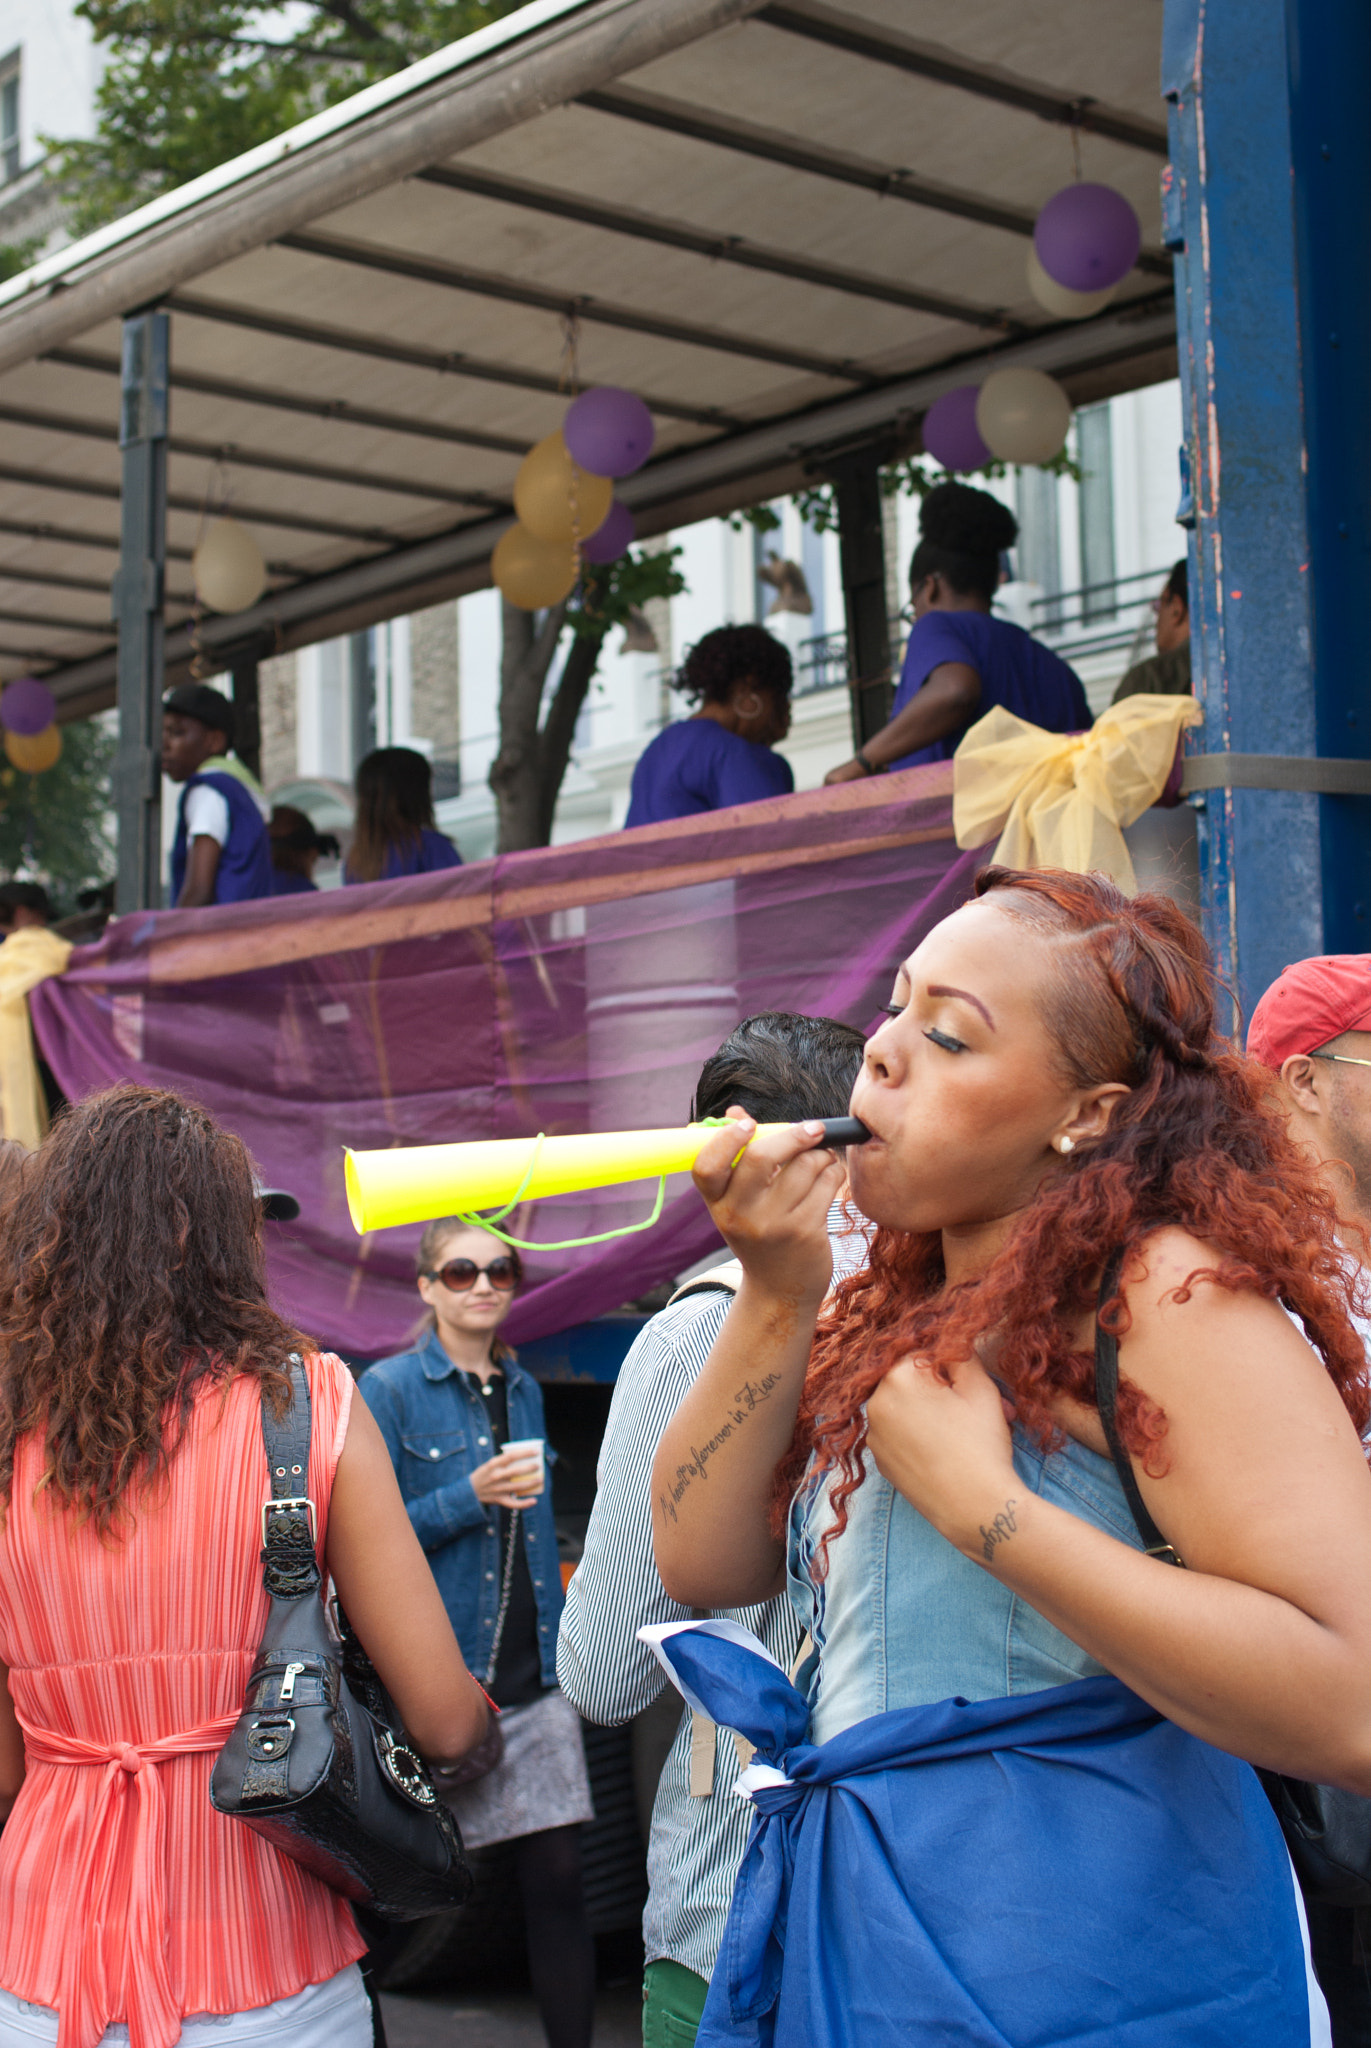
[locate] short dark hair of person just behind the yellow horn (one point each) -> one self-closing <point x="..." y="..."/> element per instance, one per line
<point x="782" y="1068"/>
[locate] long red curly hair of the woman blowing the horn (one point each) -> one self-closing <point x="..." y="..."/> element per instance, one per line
<point x="1196" y="1144"/>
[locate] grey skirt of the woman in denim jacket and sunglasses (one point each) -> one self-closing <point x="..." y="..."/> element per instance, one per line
<point x="538" y="1783"/>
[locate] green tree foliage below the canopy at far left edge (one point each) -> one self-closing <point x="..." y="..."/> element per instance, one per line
<point x="56" y="826"/>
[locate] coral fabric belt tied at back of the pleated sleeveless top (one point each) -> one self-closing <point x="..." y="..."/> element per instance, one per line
<point x="140" y="1988"/>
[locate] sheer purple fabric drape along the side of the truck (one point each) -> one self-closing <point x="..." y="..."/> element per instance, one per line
<point x="575" y="988"/>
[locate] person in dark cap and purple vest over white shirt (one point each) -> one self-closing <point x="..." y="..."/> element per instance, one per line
<point x="220" y="853"/>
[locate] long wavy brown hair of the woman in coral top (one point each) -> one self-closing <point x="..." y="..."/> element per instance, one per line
<point x="132" y="1275"/>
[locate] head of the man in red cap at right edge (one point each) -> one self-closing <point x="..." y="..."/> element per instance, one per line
<point x="1313" y="1029"/>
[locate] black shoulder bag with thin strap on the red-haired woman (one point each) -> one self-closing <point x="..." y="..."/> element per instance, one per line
<point x="1327" y="1830"/>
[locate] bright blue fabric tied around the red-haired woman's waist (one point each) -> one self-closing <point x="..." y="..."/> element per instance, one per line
<point x="1058" y="1867"/>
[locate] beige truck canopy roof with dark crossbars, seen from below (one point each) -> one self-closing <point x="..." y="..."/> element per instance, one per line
<point x="790" y="226"/>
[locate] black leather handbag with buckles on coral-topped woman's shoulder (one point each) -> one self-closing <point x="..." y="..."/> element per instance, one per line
<point x="319" y="1760"/>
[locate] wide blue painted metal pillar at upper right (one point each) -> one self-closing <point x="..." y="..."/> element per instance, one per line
<point x="1261" y="202"/>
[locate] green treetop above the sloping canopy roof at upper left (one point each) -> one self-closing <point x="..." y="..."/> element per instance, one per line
<point x="194" y="83"/>
